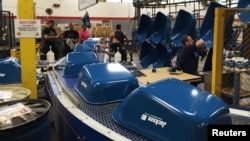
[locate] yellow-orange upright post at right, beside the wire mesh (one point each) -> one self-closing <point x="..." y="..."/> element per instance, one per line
<point x="217" y="62"/>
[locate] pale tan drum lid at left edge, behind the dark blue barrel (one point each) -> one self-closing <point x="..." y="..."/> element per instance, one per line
<point x="10" y="93"/>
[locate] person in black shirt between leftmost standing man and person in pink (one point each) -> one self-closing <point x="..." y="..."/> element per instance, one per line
<point x="71" y="38"/>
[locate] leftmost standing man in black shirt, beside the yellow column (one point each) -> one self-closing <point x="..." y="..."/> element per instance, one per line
<point x="48" y="36"/>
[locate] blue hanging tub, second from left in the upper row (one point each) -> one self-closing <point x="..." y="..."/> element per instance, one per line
<point x="161" y="28"/>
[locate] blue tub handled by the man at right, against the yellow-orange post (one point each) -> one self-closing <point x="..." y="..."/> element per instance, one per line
<point x="207" y="27"/>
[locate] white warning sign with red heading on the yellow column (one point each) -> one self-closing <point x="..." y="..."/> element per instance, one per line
<point x="27" y="28"/>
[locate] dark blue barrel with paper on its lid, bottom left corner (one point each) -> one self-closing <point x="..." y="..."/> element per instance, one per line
<point x="32" y="126"/>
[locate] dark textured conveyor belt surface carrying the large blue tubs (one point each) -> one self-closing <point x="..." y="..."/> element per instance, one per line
<point x="95" y="111"/>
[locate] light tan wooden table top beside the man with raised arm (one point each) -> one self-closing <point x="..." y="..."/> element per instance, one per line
<point x="163" y="73"/>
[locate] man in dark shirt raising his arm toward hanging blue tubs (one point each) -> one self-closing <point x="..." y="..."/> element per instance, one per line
<point x="187" y="56"/>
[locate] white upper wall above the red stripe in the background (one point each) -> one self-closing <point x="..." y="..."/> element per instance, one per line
<point x="69" y="8"/>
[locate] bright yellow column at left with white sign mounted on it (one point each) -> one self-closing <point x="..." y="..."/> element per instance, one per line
<point x="27" y="48"/>
